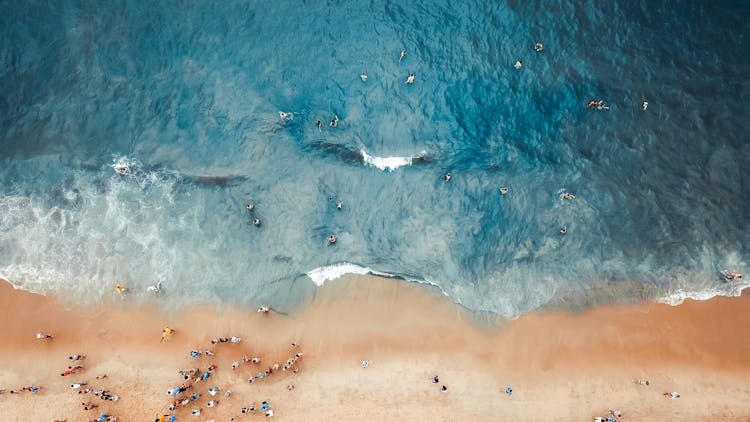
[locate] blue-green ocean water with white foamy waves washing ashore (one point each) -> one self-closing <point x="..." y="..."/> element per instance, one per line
<point x="184" y="98"/>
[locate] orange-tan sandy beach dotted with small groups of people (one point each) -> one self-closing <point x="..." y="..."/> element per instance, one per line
<point x="561" y="366"/>
